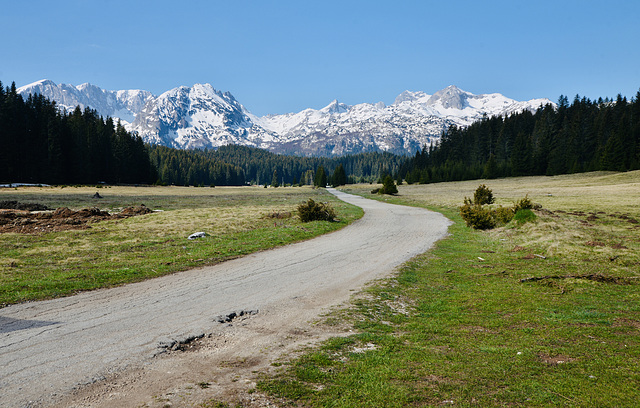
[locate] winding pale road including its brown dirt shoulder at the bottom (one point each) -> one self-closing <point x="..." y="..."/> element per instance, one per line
<point x="105" y="348"/>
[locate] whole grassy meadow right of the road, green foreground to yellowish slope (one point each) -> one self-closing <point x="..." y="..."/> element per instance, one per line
<point x="542" y="314"/>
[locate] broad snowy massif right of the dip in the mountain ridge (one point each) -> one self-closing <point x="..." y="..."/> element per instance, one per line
<point x="413" y="120"/>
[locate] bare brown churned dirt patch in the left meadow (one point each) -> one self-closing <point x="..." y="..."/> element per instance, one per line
<point x="62" y="219"/>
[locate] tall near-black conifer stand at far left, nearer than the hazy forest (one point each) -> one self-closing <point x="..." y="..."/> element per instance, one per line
<point x="41" y="144"/>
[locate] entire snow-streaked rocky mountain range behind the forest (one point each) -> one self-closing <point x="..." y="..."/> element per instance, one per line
<point x="203" y="117"/>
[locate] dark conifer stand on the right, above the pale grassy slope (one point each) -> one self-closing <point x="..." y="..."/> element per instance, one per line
<point x="568" y="138"/>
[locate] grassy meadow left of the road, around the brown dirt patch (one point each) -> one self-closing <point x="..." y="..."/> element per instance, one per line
<point x="238" y="221"/>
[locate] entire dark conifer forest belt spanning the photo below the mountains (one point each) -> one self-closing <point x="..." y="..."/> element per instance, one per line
<point x="41" y="144"/>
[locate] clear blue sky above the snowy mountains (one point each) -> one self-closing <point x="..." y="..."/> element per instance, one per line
<point x="284" y="56"/>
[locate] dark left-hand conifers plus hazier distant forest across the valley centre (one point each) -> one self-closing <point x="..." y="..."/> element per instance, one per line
<point x="39" y="143"/>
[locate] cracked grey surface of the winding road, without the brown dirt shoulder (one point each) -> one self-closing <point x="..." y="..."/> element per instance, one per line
<point x="50" y="349"/>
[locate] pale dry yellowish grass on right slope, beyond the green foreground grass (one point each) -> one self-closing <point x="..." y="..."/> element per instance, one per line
<point x="589" y="216"/>
